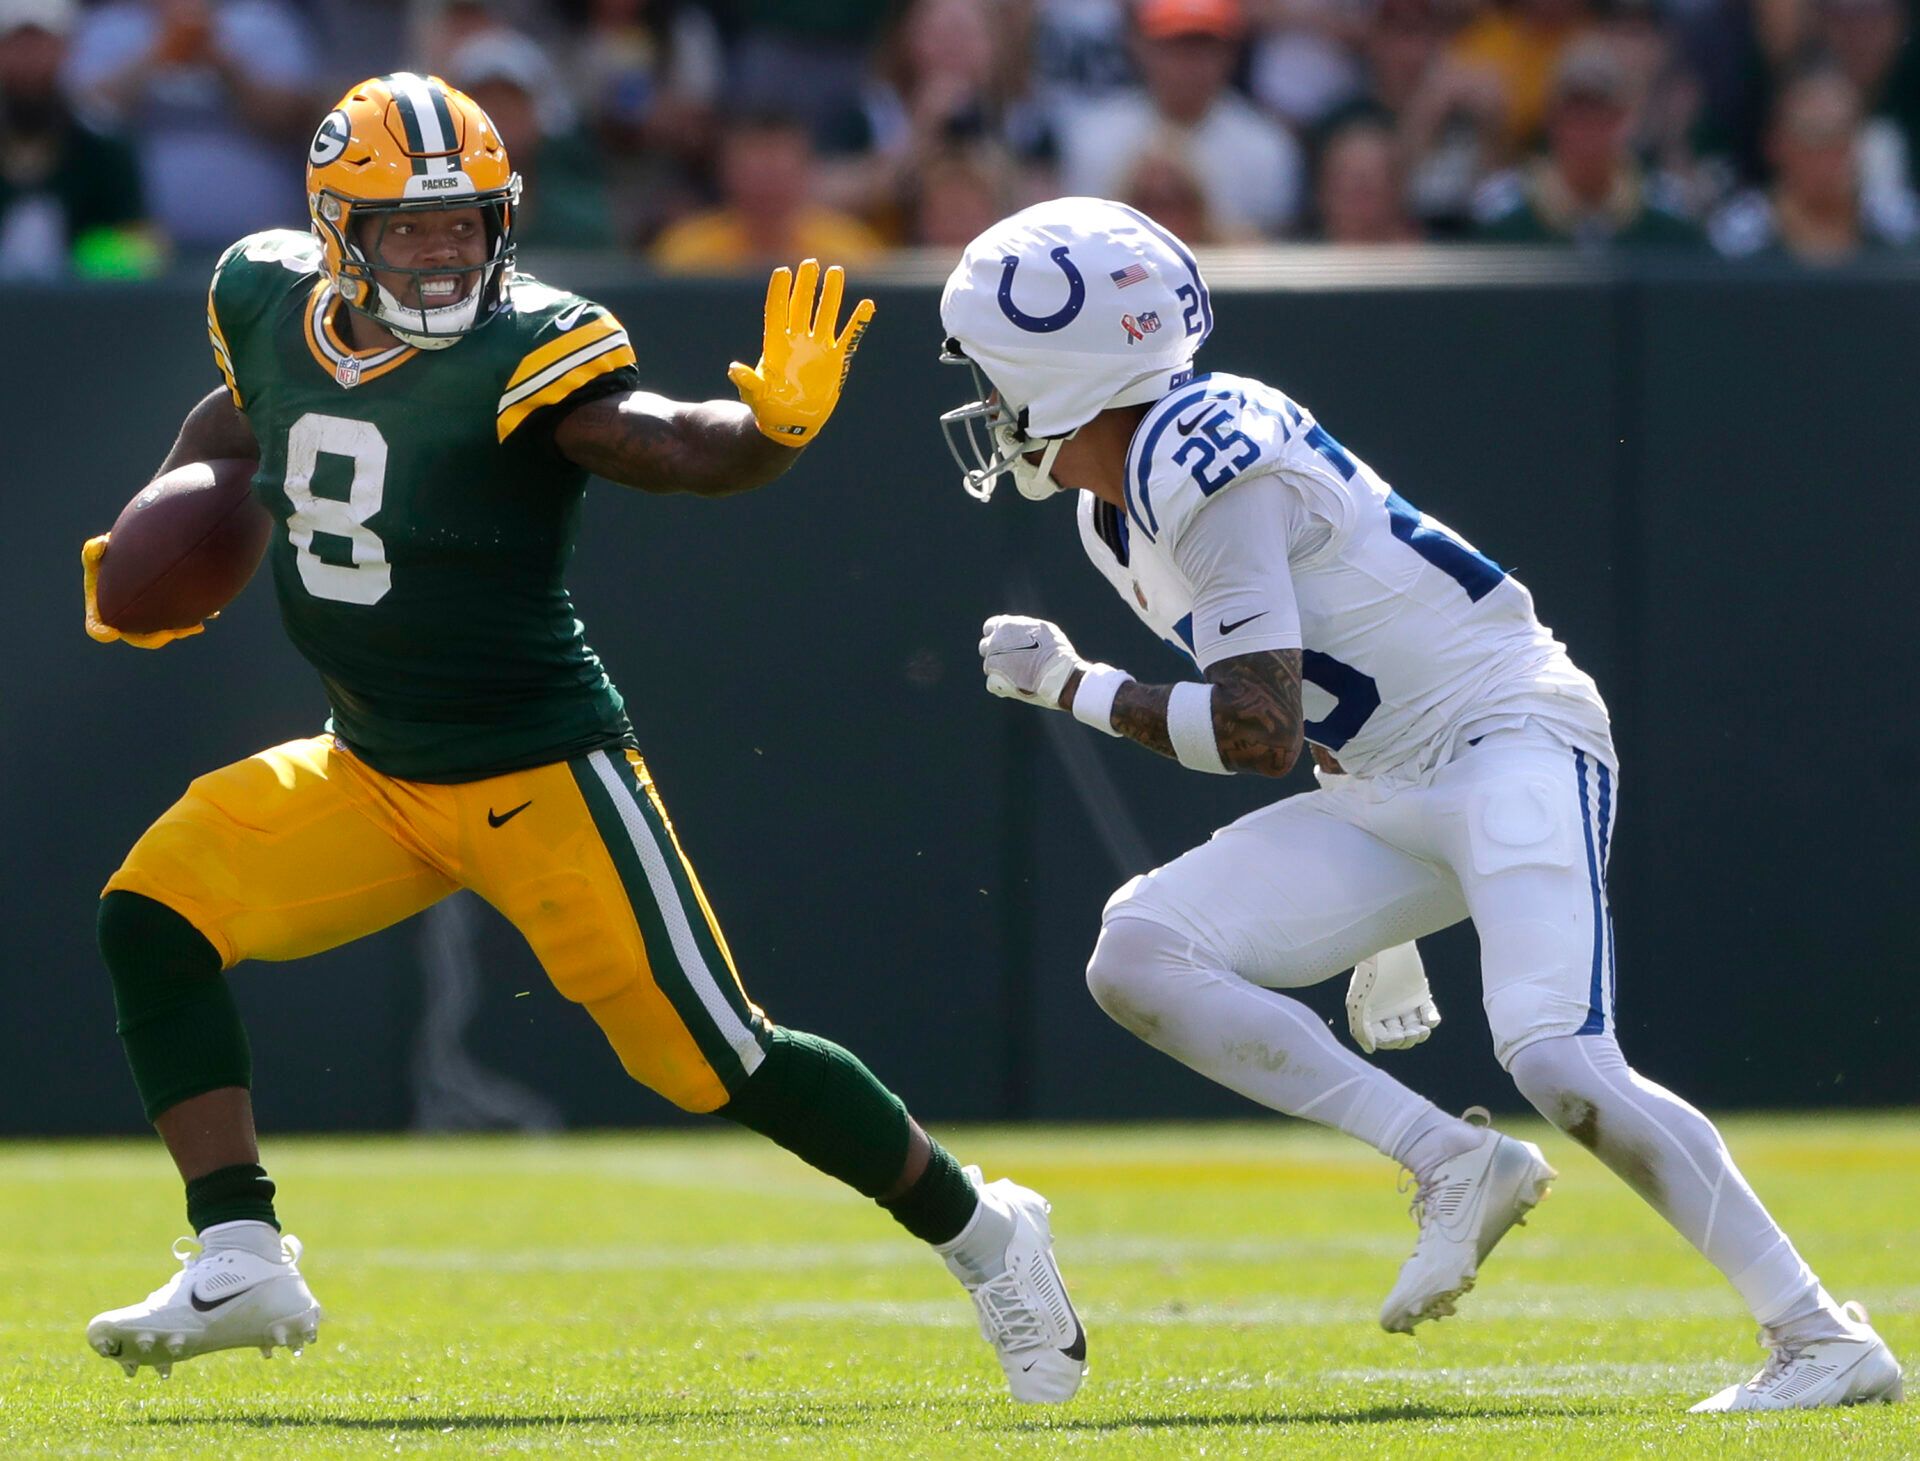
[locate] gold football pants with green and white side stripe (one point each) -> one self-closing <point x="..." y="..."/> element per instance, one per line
<point x="304" y="848"/>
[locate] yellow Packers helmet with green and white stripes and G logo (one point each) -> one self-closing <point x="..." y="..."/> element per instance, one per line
<point x="400" y="145"/>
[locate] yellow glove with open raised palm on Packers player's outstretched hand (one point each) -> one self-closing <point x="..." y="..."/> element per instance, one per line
<point x="804" y="364"/>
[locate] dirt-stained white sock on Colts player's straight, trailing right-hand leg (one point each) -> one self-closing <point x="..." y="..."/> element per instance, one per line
<point x="1673" y="1157"/>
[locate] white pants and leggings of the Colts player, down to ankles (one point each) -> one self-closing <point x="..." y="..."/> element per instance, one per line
<point x="1512" y="834"/>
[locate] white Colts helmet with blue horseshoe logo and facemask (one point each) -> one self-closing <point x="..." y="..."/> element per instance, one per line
<point x="1065" y="310"/>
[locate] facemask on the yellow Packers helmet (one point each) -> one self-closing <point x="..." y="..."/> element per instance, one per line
<point x="410" y="316"/>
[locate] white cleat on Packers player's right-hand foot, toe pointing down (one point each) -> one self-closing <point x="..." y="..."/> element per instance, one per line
<point x="1024" y="1310"/>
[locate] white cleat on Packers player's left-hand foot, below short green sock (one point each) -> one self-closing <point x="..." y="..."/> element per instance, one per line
<point x="222" y="1299"/>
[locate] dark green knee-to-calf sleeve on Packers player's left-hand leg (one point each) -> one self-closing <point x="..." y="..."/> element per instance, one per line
<point x="178" y="1017"/>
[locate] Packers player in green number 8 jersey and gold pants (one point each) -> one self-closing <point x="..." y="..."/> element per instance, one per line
<point x="425" y="423"/>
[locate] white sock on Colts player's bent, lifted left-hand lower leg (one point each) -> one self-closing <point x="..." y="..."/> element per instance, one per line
<point x="1264" y="1045"/>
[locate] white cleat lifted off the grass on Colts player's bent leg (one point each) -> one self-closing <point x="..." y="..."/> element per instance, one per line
<point x="1464" y="1210"/>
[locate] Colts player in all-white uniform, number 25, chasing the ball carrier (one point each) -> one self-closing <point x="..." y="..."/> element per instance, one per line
<point x="1466" y="771"/>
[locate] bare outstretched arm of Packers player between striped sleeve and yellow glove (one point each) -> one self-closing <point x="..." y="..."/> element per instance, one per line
<point x="654" y="444"/>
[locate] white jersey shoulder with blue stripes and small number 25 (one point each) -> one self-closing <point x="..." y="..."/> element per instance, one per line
<point x="1195" y="443"/>
